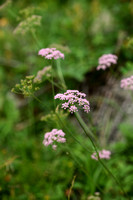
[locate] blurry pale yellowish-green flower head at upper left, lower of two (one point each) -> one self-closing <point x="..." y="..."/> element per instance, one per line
<point x="28" y="24"/>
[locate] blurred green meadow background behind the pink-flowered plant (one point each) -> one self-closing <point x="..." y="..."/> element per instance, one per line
<point x="83" y="30"/>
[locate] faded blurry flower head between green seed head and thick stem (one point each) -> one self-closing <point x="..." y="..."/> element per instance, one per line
<point x="46" y="71"/>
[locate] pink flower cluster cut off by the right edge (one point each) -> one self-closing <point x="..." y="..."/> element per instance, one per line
<point x="127" y="83"/>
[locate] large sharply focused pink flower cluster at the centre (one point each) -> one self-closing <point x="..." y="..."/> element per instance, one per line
<point x="73" y="97"/>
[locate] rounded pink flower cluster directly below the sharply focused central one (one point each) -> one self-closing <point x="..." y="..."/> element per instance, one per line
<point x="50" y="138"/>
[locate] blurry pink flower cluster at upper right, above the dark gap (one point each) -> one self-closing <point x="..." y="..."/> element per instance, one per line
<point x="106" y="60"/>
